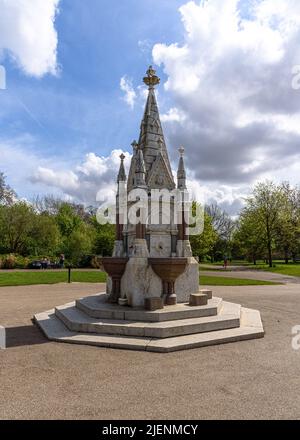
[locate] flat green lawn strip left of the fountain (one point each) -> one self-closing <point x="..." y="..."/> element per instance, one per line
<point x="29" y="278"/>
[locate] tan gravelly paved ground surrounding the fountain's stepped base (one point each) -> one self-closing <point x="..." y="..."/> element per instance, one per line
<point x="43" y="380"/>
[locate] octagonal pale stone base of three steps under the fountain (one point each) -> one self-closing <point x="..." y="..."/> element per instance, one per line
<point x="92" y="321"/>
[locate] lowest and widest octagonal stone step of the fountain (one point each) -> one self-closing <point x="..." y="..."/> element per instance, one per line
<point x="251" y="328"/>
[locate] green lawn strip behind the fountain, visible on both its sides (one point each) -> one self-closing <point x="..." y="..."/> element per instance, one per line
<point x="30" y="278"/>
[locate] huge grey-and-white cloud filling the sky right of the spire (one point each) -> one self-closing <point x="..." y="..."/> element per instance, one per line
<point x="231" y="79"/>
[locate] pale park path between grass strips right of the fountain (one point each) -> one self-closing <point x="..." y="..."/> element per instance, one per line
<point x="252" y="275"/>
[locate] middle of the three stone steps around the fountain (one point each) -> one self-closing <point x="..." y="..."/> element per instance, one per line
<point x="77" y="321"/>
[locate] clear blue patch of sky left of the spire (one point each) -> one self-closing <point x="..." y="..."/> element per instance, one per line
<point x="81" y="109"/>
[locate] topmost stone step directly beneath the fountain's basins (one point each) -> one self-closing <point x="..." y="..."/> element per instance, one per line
<point x="96" y="307"/>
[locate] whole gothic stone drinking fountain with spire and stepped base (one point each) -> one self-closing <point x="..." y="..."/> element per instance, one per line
<point x="152" y="300"/>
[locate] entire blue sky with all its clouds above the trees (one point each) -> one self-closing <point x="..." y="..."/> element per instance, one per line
<point x="74" y="97"/>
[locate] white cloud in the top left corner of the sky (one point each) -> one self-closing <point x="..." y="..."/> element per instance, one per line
<point x="28" y="35"/>
